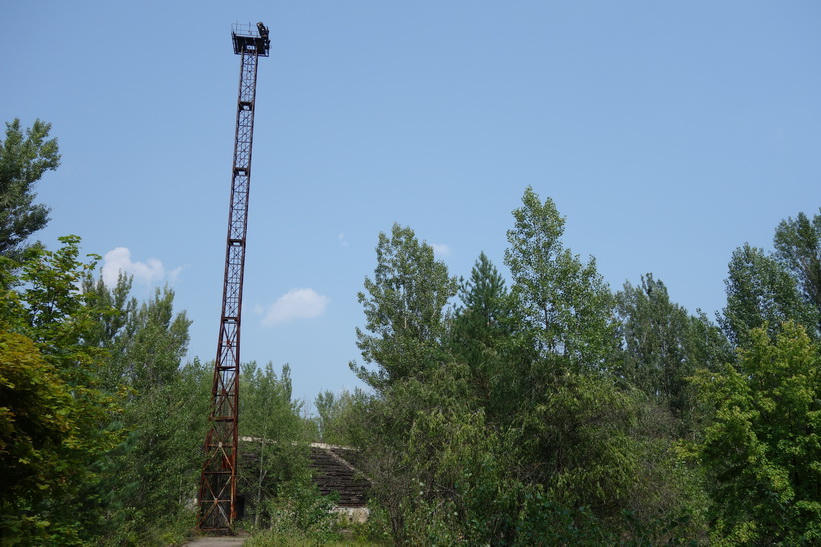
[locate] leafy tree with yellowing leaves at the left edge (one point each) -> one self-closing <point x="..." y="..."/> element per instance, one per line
<point x="48" y="320"/>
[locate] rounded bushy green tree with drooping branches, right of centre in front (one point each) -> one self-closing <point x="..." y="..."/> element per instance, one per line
<point x="591" y="445"/>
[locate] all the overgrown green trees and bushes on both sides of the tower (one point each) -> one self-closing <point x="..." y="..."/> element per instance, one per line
<point x="538" y="408"/>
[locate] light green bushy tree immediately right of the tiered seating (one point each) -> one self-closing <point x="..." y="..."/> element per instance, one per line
<point x="423" y="459"/>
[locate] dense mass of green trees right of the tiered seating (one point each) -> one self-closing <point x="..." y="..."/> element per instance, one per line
<point x="557" y="412"/>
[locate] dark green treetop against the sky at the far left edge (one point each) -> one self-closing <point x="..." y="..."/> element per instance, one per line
<point x="24" y="158"/>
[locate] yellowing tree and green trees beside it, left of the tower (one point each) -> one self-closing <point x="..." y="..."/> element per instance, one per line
<point x="121" y="464"/>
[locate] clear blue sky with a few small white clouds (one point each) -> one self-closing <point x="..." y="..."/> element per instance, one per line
<point x="668" y="134"/>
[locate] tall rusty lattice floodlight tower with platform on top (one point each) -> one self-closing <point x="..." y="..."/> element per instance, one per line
<point x="218" y="483"/>
